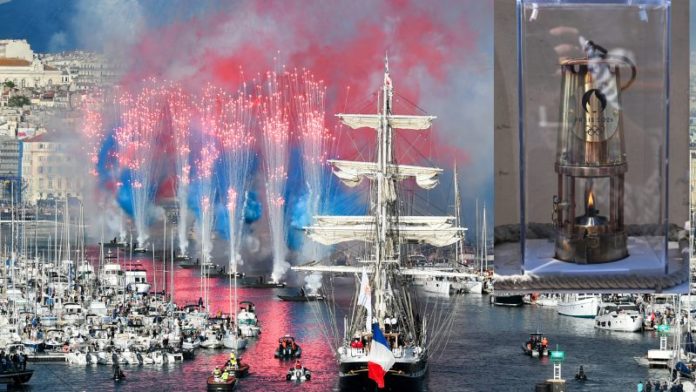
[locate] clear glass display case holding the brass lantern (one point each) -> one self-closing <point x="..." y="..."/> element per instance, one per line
<point x="593" y="138"/>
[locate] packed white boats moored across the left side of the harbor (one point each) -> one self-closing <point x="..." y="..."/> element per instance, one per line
<point x="63" y="312"/>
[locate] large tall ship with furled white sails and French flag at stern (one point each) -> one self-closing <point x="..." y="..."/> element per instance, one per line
<point x="397" y="325"/>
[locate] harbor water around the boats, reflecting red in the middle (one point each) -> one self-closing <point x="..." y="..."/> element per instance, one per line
<point x="480" y="352"/>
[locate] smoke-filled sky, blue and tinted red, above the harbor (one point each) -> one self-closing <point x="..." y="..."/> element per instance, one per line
<point x="441" y="57"/>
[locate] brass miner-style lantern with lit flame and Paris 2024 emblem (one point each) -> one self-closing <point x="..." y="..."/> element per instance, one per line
<point x="591" y="159"/>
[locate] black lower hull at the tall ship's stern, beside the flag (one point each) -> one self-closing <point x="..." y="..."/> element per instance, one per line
<point x="401" y="377"/>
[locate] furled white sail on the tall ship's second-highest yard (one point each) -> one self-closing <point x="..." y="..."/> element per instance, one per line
<point x="351" y="173"/>
